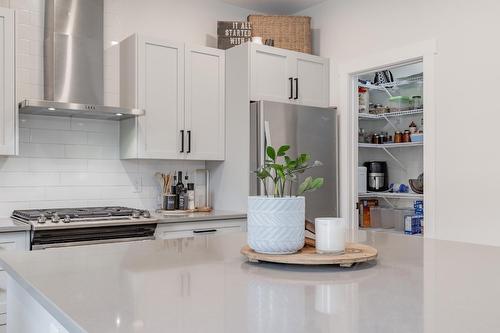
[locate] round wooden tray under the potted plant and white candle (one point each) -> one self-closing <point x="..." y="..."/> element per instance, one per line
<point x="354" y="253"/>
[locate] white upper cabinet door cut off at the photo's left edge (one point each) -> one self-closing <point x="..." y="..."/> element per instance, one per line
<point x="7" y="82"/>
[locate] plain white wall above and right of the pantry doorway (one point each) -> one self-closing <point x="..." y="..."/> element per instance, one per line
<point x="466" y="80"/>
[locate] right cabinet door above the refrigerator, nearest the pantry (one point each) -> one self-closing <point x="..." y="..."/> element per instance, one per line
<point x="312" y="86"/>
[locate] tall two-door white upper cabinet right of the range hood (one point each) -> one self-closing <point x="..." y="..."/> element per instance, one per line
<point x="181" y="89"/>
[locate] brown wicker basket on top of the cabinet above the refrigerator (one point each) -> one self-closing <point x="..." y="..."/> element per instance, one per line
<point x="288" y="32"/>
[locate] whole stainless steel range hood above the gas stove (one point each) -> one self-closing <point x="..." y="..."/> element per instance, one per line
<point x="73" y="63"/>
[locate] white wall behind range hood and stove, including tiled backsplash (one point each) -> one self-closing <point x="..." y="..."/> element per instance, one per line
<point x="75" y="162"/>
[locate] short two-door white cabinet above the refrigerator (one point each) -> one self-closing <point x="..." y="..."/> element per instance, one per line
<point x="281" y="75"/>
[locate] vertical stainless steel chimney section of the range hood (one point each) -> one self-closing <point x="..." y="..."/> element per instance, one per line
<point x="73" y="51"/>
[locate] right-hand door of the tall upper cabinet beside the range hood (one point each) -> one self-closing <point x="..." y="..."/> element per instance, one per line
<point x="204" y="103"/>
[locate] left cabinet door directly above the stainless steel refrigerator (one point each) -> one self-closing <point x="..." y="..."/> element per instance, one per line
<point x="271" y="74"/>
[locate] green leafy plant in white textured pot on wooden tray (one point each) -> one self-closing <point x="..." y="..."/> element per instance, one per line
<point x="276" y="219"/>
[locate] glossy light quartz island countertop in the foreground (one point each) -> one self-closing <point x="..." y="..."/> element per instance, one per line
<point x="204" y="285"/>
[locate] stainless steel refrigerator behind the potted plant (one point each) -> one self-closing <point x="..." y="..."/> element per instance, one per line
<point x="309" y="130"/>
